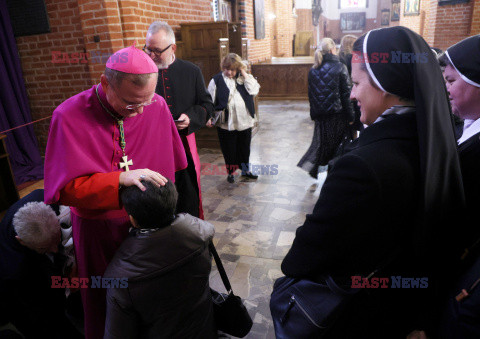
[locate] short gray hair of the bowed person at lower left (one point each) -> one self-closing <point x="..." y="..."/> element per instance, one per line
<point x="35" y="223"/>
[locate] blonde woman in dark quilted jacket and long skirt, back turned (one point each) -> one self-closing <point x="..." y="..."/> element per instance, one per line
<point x="330" y="107"/>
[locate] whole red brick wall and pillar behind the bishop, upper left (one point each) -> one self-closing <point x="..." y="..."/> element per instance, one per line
<point x="59" y="64"/>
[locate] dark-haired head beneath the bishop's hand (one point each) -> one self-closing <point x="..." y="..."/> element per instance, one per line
<point x="154" y="207"/>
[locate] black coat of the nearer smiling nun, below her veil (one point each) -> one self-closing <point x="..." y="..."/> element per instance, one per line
<point x="366" y="214"/>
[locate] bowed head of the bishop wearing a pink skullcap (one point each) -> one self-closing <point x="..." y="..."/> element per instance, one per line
<point x="129" y="81"/>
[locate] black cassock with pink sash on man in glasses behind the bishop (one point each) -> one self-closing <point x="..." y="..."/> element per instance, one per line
<point x="183" y="88"/>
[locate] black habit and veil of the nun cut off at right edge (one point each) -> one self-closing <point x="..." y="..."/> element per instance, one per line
<point x="462" y="317"/>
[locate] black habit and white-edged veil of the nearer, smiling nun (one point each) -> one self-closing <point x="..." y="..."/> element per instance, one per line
<point x="388" y="200"/>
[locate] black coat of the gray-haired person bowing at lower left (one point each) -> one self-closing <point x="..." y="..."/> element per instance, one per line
<point x="27" y="298"/>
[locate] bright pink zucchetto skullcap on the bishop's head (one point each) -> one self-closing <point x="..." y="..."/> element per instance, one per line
<point x="132" y="60"/>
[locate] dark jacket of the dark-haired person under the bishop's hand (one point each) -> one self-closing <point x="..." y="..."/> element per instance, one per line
<point x="168" y="294"/>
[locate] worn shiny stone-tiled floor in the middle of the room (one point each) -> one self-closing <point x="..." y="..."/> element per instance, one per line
<point x="255" y="221"/>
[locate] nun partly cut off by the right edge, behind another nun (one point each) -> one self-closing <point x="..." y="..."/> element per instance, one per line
<point x="462" y="76"/>
